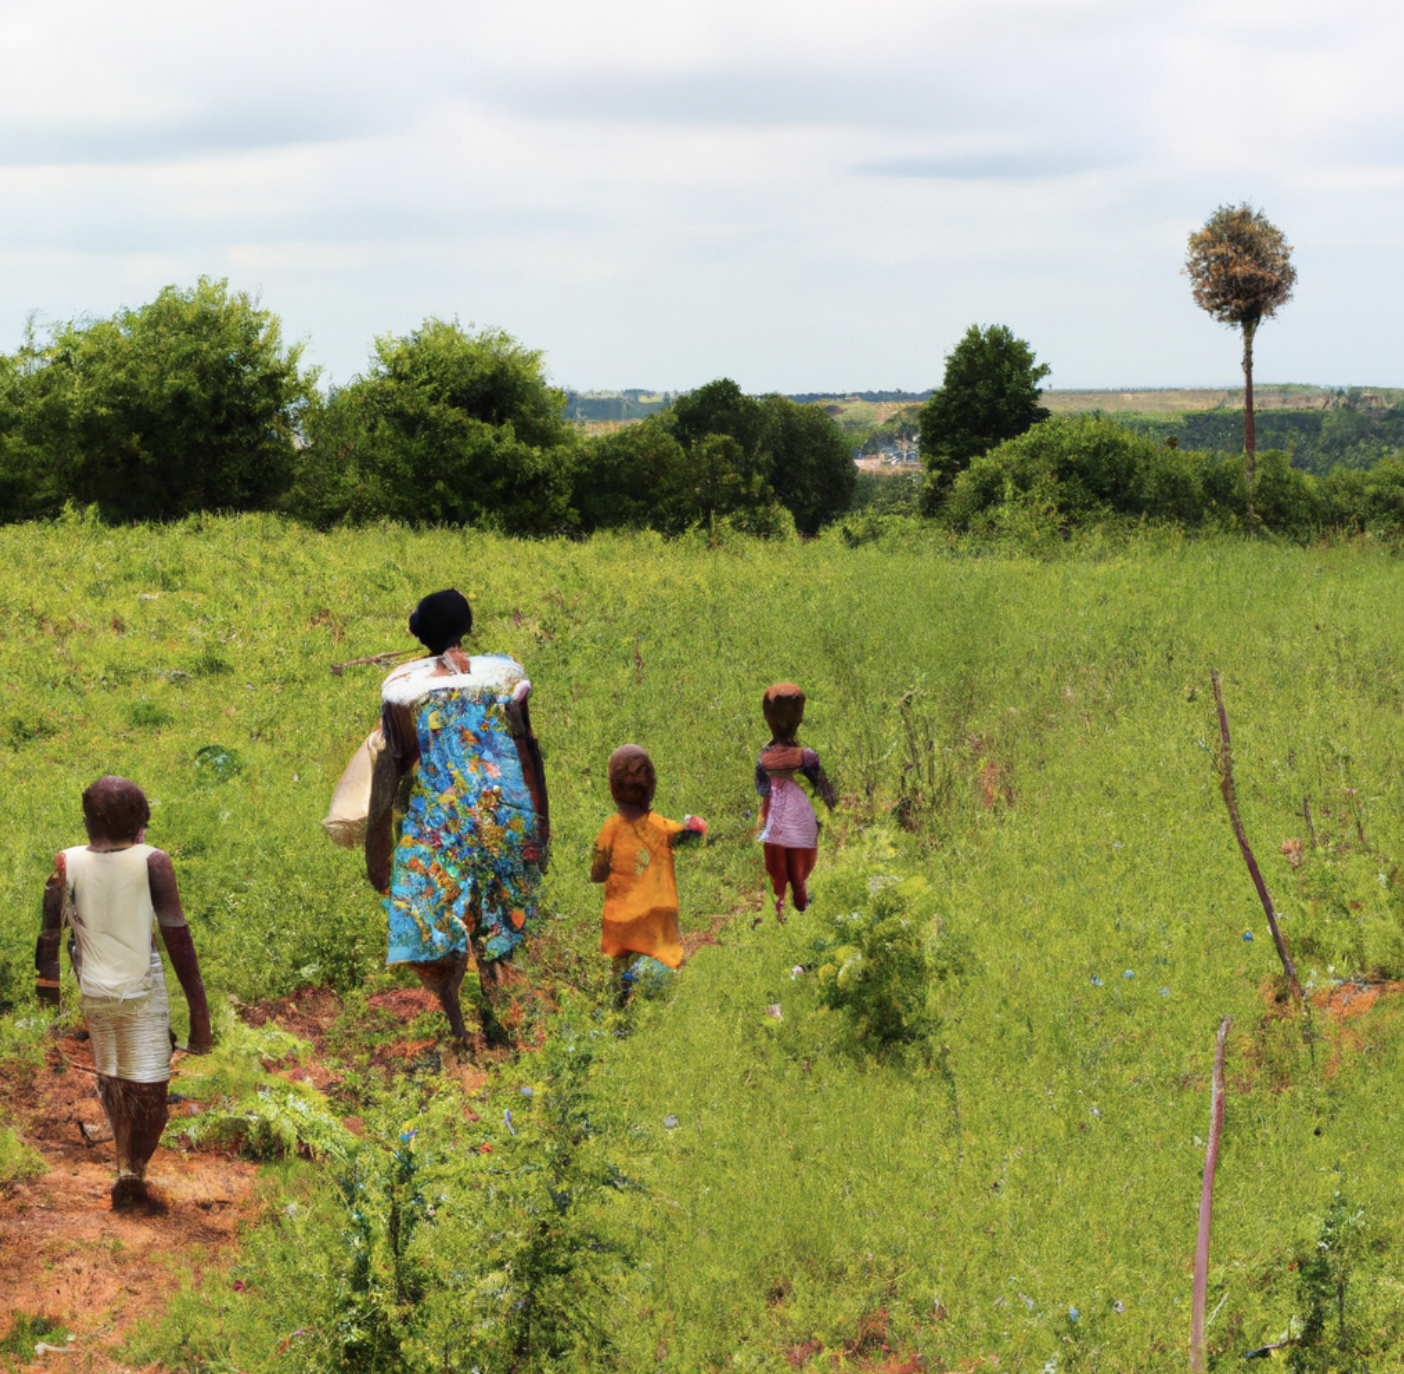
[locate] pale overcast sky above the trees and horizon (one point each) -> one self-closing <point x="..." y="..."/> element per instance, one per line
<point x="805" y="196"/>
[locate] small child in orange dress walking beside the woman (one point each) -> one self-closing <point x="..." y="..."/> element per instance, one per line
<point x="634" y="860"/>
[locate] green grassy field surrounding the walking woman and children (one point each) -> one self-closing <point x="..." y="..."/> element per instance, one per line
<point x="720" y="1189"/>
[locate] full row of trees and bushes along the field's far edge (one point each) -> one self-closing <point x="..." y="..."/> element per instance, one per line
<point x="196" y="403"/>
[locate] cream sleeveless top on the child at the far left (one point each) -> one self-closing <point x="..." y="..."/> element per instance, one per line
<point x="112" y="916"/>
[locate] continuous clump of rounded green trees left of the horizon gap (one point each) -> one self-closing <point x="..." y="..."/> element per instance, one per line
<point x="194" y="402"/>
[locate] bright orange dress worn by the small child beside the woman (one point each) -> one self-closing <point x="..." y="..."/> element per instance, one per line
<point x="641" y="891"/>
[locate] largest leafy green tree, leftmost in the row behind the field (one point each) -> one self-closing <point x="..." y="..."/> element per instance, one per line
<point x="189" y="403"/>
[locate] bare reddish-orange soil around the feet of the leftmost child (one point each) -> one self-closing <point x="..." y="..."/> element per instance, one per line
<point x="65" y="1254"/>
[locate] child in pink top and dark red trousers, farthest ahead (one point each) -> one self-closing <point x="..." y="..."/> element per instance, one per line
<point x="790" y="829"/>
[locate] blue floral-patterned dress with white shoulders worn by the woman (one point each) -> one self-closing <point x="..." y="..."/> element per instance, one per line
<point x="461" y="871"/>
